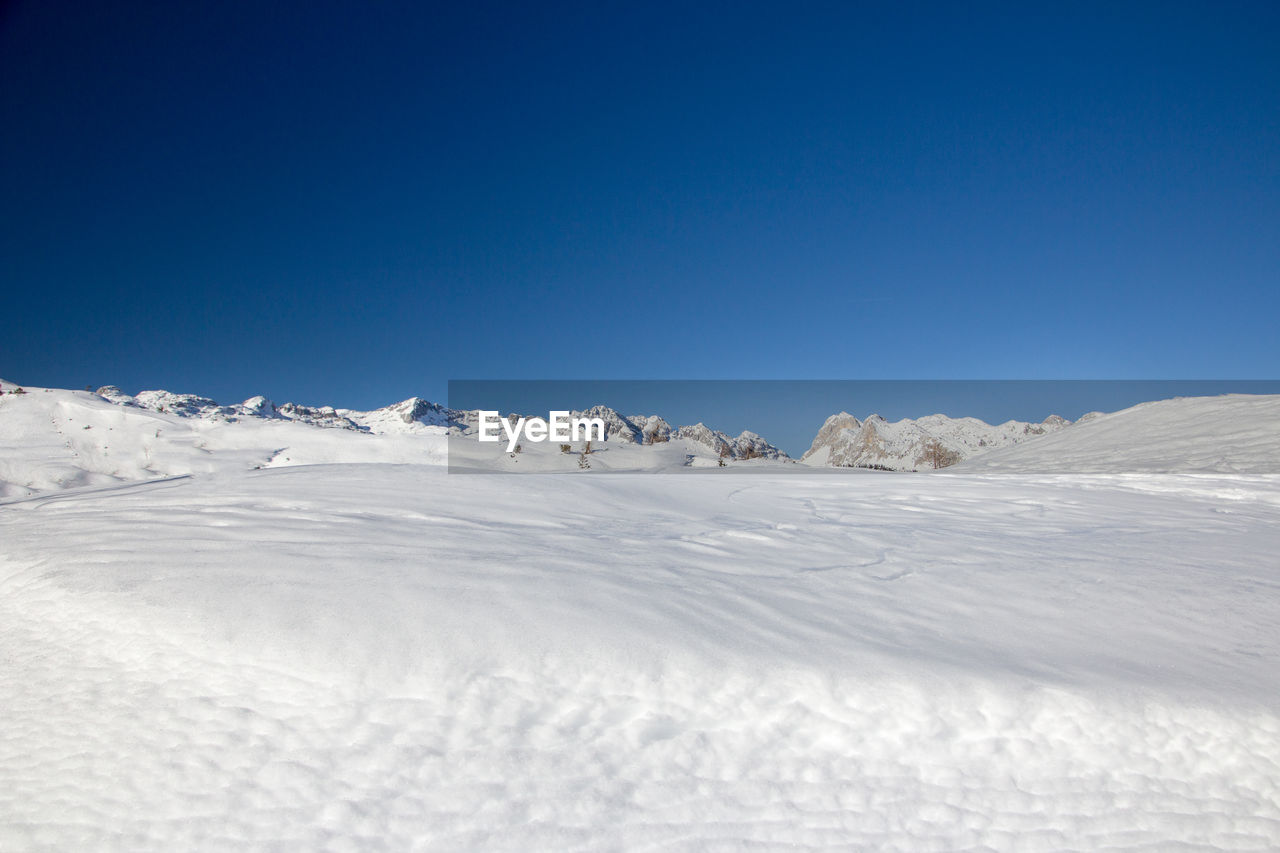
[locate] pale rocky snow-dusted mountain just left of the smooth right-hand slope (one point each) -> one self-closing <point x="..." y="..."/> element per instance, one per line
<point x="912" y="445"/>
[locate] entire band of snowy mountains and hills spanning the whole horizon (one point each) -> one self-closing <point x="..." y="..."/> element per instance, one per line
<point x="57" y="439"/>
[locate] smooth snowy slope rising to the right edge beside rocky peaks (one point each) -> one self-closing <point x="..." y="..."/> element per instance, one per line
<point x="1232" y="434"/>
